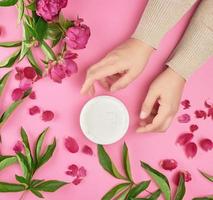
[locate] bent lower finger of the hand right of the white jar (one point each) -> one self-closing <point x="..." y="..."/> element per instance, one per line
<point x="158" y="122"/>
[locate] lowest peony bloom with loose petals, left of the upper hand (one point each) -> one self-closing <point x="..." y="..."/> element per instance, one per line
<point x="65" y="68"/>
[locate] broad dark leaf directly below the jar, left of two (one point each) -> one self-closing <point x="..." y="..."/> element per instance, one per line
<point x="107" y="163"/>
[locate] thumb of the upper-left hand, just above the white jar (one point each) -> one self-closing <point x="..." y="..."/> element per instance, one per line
<point x="123" y="82"/>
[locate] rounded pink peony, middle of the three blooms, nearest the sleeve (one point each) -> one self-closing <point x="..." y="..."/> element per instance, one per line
<point x="78" y="36"/>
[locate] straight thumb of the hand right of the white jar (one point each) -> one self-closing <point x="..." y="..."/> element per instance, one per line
<point x="148" y="104"/>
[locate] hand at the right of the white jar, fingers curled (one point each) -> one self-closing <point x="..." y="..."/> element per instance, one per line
<point x="162" y="102"/>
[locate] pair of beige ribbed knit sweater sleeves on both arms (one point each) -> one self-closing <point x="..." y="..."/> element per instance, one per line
<point x="196" y="45"/>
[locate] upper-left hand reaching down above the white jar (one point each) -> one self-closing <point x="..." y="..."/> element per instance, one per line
<point x="118" y="68"/>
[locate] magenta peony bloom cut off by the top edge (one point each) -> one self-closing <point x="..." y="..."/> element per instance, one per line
<point x="49" y="9"/>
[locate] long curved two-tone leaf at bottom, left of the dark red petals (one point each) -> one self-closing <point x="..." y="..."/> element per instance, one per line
<point x="160" y="179"/>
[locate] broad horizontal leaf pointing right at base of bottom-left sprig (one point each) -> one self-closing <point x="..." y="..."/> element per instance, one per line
<point x="50" y="186"/>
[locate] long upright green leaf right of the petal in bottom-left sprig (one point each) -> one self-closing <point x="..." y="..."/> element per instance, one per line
<point x="27" y="148"/>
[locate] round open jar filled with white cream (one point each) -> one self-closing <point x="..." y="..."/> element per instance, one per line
<point x="104" y="120"/>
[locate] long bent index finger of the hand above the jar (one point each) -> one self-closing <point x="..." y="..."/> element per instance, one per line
<point x="97" y="74"/>
